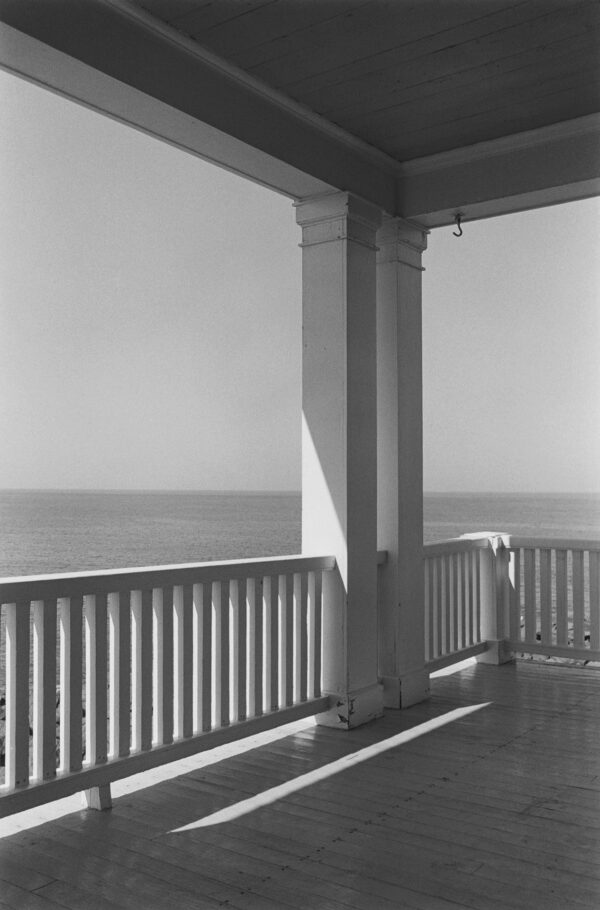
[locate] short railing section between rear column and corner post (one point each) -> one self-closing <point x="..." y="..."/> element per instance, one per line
<point x="456" y="572"/>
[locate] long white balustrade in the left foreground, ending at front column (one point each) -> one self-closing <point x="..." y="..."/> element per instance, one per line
<point x="152" y="665"/>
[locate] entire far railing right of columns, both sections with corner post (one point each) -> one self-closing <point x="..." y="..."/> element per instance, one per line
<point x="502" y="594"/>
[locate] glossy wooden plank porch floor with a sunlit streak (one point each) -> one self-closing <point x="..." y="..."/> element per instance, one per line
<point x="495" y="808"/>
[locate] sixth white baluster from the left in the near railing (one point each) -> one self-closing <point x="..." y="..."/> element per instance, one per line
<point x="141" y="670"/>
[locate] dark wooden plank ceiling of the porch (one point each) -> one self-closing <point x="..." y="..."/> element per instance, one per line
<point x="411" y="77"/>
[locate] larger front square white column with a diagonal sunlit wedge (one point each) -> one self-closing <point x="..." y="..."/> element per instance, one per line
<point x="339" y="441"/>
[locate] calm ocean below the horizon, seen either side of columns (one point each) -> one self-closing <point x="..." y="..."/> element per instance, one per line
<point x="65" y="531"/>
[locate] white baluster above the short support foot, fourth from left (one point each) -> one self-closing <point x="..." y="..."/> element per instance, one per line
<point x="96" y="745"/>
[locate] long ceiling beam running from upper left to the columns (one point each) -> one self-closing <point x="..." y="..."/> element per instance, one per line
<point x="117" y="59"/>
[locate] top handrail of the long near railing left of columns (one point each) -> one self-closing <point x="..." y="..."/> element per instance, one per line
<point x="111" y="581"/>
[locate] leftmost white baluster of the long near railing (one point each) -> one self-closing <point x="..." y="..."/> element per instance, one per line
<point x="17" y="694"/>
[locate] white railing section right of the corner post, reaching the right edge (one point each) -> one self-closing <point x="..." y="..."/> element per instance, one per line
<point x="554" y="597"/>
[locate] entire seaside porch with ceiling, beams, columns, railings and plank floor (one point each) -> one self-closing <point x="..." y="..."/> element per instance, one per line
<point x="480" y="796"/>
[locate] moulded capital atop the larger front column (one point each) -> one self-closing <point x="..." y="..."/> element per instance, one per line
<point x="337" y="216"/>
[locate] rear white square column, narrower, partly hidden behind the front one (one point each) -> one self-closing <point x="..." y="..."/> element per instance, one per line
<point x="400" y="463"/>
